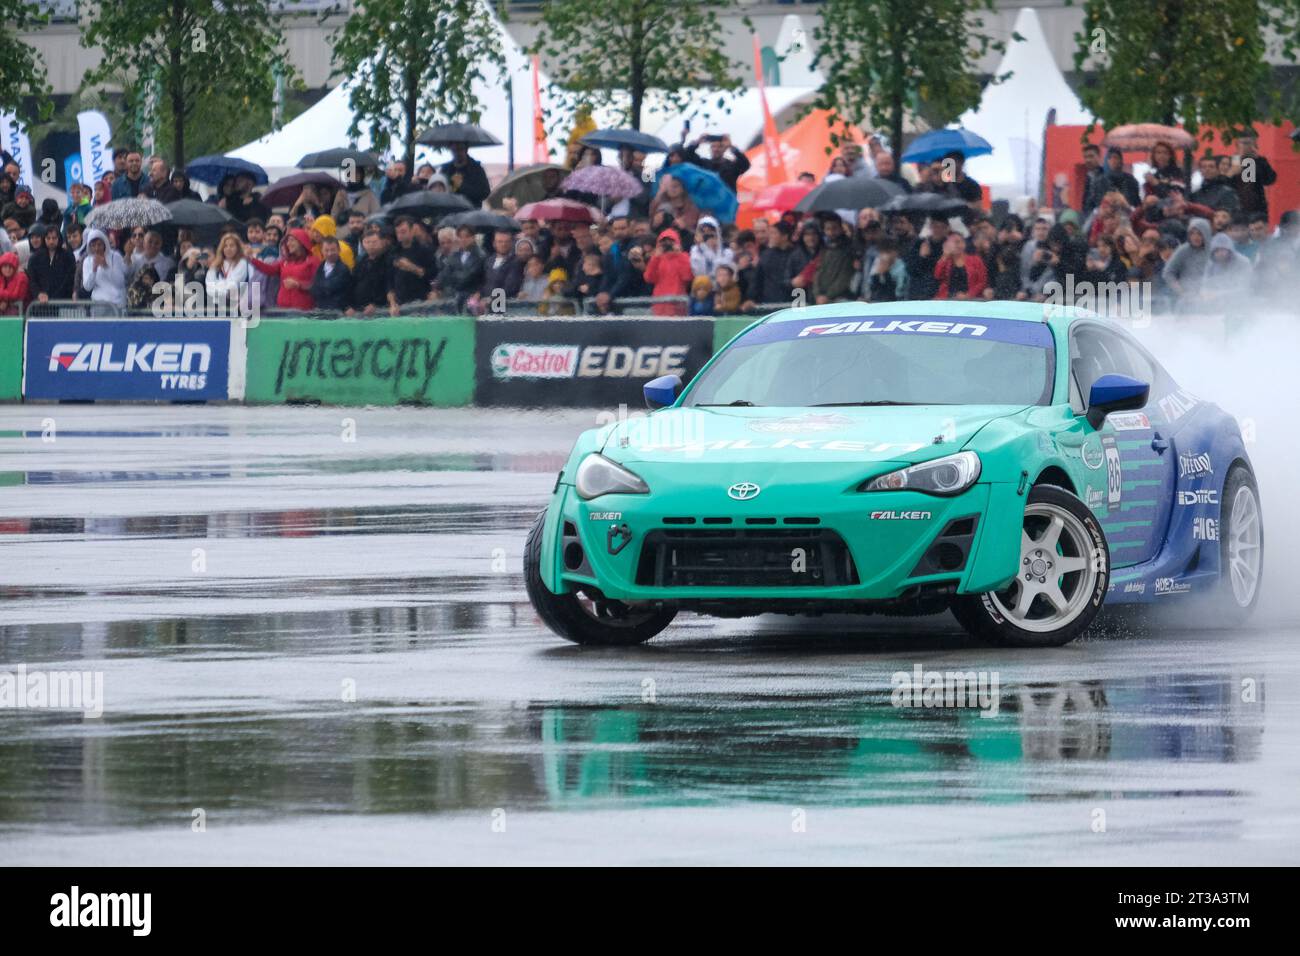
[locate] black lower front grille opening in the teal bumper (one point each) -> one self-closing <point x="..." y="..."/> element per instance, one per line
<point x="746" y="559"/>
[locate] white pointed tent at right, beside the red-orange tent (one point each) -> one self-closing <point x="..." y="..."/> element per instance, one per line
<point x="1012" y="115"/>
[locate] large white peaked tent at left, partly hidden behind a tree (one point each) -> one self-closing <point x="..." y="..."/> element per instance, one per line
<point x="326" y="124"/>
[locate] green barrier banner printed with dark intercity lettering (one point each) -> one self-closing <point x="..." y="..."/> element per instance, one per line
<point x="382" y="361"/>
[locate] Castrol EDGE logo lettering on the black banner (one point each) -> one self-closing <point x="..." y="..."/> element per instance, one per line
<point x="519" y="361"/>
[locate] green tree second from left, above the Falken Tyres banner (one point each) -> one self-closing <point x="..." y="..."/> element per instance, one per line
<point x="202" y="54"/>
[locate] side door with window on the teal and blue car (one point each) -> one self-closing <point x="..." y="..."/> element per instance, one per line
<point x="1141" y="465"/>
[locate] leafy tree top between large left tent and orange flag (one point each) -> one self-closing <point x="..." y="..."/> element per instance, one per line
<point x="614" y="54"/>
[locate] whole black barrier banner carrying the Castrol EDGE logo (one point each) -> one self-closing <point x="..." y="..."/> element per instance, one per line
<point x="584" y="362"/>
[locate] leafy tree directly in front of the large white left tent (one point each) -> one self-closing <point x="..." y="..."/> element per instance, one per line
<point x="413" y="64"/>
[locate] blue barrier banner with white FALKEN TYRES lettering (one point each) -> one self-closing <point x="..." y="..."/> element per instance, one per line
<point x="128" y="360"/>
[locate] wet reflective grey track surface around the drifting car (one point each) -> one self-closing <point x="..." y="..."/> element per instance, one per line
<point x="324" y="646"/>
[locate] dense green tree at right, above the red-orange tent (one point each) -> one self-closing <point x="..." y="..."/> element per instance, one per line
<point x="1175" y="62"/>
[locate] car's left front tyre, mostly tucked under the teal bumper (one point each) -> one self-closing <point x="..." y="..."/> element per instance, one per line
<point x="588" y="617"/>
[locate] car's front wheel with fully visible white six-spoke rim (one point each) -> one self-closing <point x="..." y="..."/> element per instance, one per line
<point x="1060" y="585"/>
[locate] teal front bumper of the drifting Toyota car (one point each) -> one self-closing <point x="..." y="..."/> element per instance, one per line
<point x="843" y="546"/>
